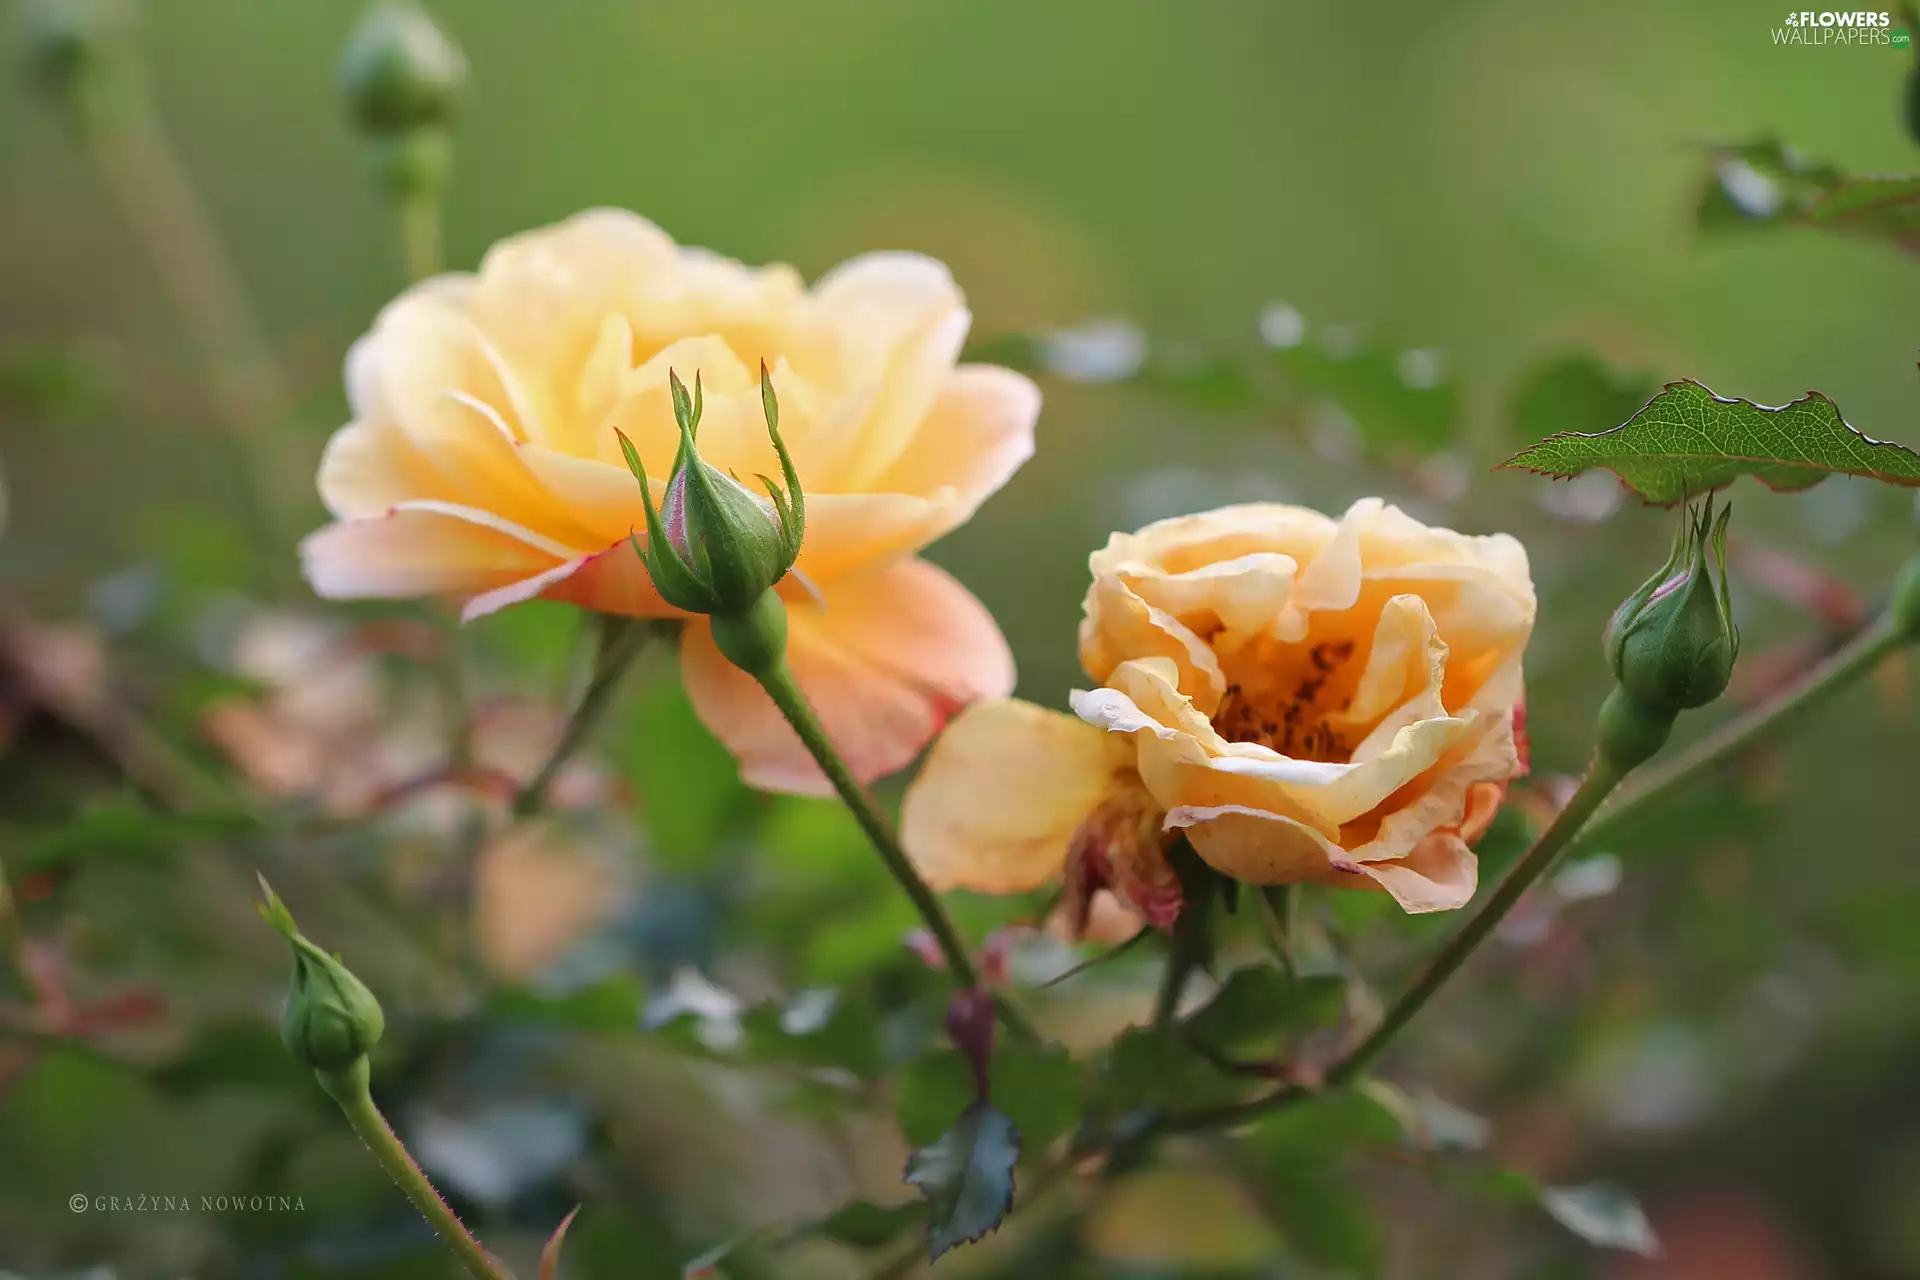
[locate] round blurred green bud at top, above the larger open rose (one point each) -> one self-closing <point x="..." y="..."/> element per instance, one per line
<point x="400" y="72"/>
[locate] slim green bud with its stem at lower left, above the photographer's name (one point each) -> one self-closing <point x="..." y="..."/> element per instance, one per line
<point x="331" y="1024"/>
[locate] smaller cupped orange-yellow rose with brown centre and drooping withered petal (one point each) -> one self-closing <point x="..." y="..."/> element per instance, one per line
<point x="1305" y="699"/>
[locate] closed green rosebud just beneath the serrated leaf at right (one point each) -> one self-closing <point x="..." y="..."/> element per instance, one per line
<point x="1673" y="642"/>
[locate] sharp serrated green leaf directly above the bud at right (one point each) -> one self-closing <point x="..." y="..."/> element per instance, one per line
<point x="1689" y="442"/>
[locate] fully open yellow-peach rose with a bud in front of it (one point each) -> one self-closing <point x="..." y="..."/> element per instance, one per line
<point x="483" y="463"/>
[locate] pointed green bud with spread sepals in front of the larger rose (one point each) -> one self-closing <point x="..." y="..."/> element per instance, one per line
<point x="715" y="546"/>
